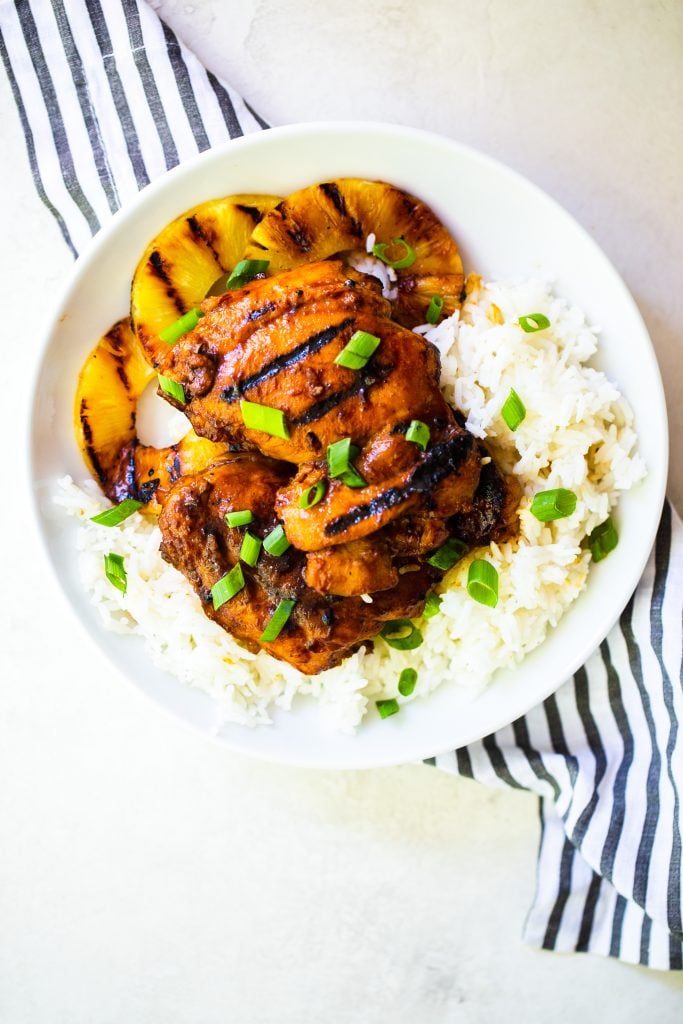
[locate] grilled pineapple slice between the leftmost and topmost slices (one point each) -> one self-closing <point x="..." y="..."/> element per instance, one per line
<point x="184" y="262"/>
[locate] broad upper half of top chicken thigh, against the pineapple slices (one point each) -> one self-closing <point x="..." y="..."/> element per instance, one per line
<point x="275" y="344"/>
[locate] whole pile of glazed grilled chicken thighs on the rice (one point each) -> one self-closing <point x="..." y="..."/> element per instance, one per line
<point x="274" y="344"/>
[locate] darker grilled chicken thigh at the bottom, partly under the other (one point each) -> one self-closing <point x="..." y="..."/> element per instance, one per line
<point x="322" y="630"/>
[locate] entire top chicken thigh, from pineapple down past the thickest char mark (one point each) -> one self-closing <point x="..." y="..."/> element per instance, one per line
<point x="275" y="344"/>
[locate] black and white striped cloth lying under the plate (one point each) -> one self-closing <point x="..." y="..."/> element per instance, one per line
<point x="109" y="100"/>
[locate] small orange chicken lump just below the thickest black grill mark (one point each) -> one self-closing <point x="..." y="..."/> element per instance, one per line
<point x="351" y="570"/>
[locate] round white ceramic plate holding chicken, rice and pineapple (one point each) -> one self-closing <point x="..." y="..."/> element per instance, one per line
<point x="505" y="228"/>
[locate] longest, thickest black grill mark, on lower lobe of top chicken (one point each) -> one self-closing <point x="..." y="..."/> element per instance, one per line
<point x="441" y="461"/>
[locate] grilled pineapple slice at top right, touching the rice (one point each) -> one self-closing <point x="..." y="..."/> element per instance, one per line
<point x="326" y="220"/>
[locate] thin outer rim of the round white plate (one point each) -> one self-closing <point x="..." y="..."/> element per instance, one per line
<point x="166" y="182"/>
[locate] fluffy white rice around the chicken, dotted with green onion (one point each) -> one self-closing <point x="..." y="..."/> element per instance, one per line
<point x="578" y="435"/>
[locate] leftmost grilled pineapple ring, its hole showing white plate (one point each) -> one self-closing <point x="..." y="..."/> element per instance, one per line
<point x="112" y="380"/>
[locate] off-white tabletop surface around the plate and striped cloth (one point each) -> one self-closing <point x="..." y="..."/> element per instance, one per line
<point x="149" y="876"/>
